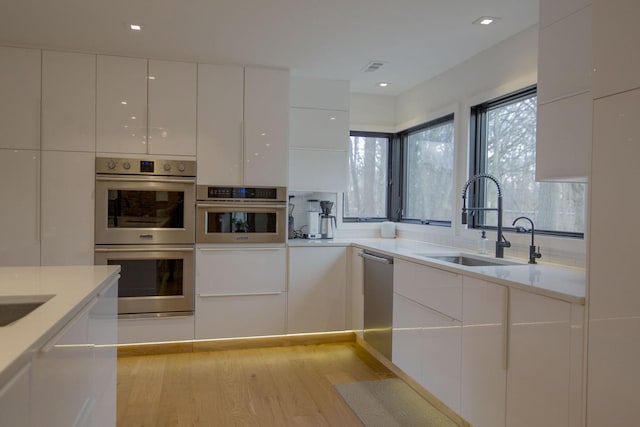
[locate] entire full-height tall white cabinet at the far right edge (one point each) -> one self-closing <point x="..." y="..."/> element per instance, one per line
<point x="614" y="295"/>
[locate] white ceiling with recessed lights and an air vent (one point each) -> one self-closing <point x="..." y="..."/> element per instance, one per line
<point x="417" y="39"/>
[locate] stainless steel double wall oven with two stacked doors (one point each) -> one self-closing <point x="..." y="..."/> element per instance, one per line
<point x="145" y="222"/>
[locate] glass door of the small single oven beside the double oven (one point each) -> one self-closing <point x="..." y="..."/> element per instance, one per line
<point x="232" y="223"/>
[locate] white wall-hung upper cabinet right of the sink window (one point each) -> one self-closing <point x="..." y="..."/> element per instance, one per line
<point x="564" y="91"/>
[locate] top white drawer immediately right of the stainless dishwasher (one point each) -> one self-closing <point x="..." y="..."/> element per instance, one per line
<point x="437" y="289"/>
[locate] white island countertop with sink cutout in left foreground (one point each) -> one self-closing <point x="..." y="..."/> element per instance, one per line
<point x="71" y="288"/>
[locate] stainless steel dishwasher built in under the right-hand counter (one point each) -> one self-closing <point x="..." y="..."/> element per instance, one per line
<point x="378" y="301"/>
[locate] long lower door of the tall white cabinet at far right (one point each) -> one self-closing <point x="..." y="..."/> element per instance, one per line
<point x="614" y="294"/>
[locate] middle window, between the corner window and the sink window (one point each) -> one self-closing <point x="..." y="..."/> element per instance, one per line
<point x="429" y="172"/>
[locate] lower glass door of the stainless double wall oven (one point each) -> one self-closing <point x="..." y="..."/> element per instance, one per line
<point x="152" y="279"/>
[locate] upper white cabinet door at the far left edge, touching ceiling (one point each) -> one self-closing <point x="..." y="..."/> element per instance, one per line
<point x="20" y="71"/>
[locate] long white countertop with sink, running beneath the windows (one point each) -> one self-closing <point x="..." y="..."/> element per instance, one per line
<point x="552" y="280"/>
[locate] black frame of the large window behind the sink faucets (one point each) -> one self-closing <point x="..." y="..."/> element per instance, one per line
<point x="478" y="159"/>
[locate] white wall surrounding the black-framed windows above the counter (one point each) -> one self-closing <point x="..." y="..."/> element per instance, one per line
<point x="503" y="68"/>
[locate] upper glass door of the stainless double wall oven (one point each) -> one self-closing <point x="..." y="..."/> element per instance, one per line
<point x="137" y="210"/>
